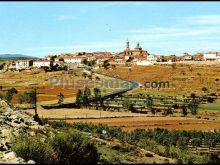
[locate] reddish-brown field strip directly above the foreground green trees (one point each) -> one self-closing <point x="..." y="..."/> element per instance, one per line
<point x="178" y="123"/>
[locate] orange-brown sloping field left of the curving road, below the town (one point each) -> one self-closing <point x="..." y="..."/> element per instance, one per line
<point x="23" y="81"/>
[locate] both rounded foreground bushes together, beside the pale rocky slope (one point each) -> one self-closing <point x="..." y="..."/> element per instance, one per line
<point x="70" y="146"/>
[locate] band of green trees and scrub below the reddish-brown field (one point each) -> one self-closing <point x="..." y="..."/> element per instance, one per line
<point x="173" y="144"/>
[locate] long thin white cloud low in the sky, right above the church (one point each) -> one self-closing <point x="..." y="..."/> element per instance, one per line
<point x="172" y="33"/>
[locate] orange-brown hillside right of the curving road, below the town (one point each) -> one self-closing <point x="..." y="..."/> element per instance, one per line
<point x="183" y="78"/>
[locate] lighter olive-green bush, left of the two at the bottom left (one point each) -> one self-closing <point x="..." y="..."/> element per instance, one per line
<point x="32" y="148"/>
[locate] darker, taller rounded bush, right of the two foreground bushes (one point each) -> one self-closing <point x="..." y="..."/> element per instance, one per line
<point x="73" y="147"/>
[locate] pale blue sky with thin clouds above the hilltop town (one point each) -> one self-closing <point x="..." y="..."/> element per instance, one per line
<point x="43" y="28"/>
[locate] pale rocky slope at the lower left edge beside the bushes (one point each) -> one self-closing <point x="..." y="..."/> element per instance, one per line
<point x="12" y="124"/>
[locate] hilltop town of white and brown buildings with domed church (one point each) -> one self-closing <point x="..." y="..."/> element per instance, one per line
<point x="131" y="57"/>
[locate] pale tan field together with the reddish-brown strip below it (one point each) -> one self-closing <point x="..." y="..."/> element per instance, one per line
<point x="128" y="121"/>
